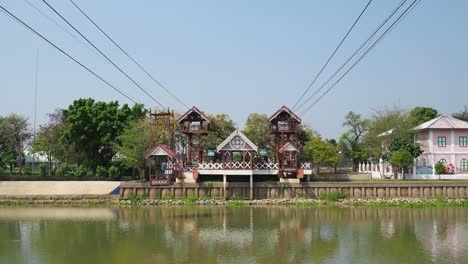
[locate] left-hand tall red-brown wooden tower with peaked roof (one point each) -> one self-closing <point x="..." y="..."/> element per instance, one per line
<point x="195" y="124"/>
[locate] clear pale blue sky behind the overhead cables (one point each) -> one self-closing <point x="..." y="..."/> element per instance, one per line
<point x="240" y="57"/>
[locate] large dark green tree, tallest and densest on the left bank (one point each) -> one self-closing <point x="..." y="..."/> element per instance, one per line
<point x="94" y="126"/>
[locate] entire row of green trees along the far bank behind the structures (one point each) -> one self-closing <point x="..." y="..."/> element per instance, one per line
<point x="93" y="138"/>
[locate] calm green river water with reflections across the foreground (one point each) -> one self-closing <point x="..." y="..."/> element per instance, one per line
<point x="233" y="235"/>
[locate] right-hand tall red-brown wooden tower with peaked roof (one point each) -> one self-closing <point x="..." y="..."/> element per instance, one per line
<point x="284" y="125"/>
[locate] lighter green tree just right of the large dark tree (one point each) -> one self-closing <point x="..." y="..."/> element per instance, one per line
<point x="133" y="145"/>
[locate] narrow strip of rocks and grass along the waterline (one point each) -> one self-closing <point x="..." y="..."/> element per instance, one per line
<point x="109" y="200"/>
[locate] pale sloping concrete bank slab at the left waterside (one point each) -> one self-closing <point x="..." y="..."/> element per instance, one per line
<point x="57" y="188"/>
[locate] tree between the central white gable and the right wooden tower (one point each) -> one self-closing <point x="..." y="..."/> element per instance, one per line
<point x="257" y="129"/>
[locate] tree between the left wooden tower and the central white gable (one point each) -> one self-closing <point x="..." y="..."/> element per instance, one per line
<point x="221" y="127"/>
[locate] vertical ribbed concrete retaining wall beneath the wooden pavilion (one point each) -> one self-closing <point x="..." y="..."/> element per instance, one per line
<point x="310" y="189"/>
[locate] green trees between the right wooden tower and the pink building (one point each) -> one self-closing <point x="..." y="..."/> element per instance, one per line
<point x="387" y="134"/>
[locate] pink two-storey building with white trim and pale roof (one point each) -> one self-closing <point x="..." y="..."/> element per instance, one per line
<point x="443" y="139"/>
